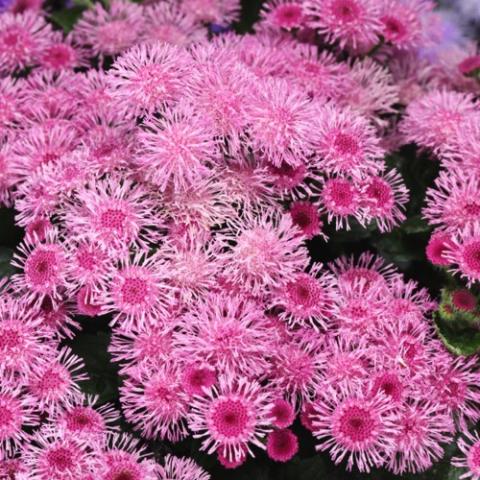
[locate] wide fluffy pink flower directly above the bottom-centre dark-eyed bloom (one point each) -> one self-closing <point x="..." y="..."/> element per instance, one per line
<point x="230" y="333"/>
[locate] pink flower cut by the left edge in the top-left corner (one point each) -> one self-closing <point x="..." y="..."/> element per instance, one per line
<point x="22" y="37"/>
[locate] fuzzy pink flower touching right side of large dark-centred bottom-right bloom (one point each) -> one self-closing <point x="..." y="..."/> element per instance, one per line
<point x="424" y="429"/>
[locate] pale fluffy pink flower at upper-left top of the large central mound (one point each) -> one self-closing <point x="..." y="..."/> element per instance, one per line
<point x="148" y="77"/>
